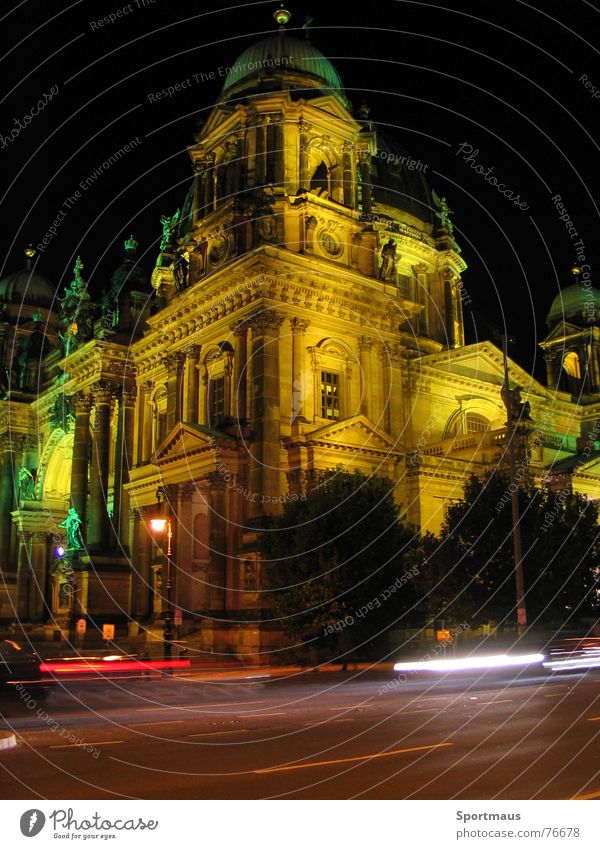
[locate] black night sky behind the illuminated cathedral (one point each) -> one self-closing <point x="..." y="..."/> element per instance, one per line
<point x="505" y="78"/>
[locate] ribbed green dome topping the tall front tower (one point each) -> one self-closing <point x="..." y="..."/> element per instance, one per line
<point x="280" y="54"/>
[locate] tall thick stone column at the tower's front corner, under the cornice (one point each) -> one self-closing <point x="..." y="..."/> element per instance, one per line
<point x="265" y="412"/>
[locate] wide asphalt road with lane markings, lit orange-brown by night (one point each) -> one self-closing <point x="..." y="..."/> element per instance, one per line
<point x="323" y="735"/>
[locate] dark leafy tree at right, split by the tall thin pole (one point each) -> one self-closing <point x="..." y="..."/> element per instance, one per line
<point x="469" y="571"/>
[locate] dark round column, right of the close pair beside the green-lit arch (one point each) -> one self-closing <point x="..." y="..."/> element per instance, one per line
<point x="98" y="520"/>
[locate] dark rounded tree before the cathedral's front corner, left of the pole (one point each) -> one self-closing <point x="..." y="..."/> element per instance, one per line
<point x="337" y="562"/>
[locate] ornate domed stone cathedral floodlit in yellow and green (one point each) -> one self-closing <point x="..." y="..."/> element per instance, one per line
<point x="305" y="312"/>
